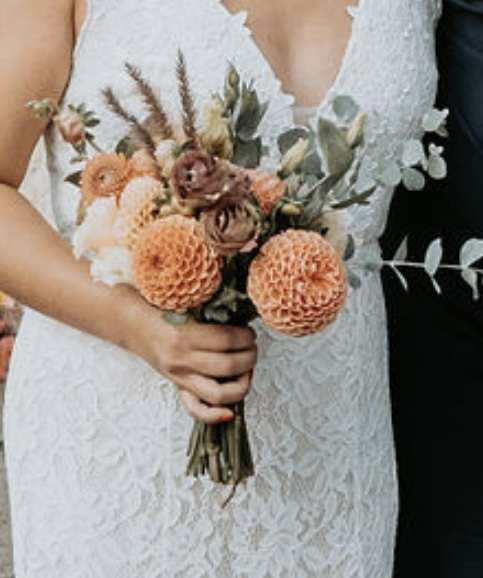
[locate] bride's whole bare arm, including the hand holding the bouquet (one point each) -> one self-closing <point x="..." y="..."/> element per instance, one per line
<point x="37" y="267"/>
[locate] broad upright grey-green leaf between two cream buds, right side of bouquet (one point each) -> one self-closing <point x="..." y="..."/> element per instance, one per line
<point x="337" y="153"/>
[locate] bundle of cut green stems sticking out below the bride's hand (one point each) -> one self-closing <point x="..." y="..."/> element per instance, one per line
<point x="222" y="451"/>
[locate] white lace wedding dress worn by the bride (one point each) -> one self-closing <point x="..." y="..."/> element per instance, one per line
<point x="96" y="441"/>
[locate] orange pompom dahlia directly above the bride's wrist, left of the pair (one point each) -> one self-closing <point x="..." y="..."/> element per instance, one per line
<point x="173" y="267"/>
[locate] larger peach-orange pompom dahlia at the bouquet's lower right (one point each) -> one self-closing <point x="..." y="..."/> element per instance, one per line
<point x="297" y="282"/>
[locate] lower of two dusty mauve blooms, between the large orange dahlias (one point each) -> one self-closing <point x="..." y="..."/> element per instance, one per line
<point x="231" y="226"/>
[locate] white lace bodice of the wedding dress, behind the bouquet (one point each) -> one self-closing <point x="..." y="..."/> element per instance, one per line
<point x="387" y="68"/>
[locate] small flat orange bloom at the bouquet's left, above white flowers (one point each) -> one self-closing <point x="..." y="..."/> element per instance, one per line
<point x="104" y="175"/>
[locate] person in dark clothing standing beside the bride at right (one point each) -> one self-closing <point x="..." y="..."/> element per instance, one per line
<point x="436" y="340"/>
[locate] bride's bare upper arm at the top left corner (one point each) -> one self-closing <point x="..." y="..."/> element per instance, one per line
<point x="36" y="43"/>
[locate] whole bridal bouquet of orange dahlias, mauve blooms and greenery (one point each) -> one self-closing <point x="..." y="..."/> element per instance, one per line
<point x="204" y="221"/>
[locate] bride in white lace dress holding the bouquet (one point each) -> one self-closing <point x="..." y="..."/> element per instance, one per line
<point x="95" y="434"/>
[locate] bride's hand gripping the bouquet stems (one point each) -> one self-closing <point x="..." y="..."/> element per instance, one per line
<point x="210" y="364"/>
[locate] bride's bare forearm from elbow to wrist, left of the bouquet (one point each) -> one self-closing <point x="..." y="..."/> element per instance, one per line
<point x="38" y="269"/>
